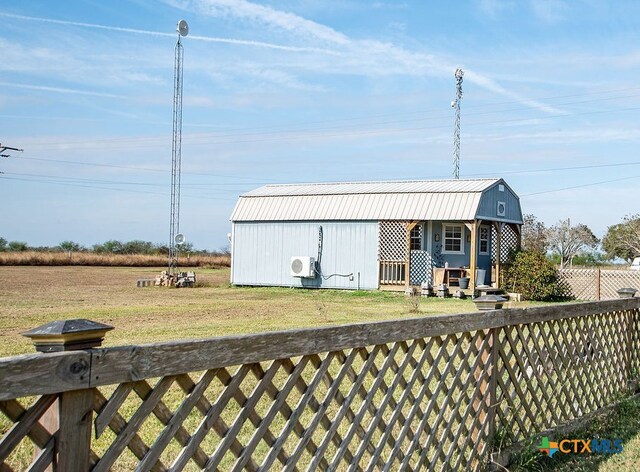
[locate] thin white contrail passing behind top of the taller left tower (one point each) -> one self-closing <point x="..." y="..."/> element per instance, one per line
<point x="239" y="42"/>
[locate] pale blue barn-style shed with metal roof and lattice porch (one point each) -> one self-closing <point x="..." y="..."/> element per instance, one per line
<point x="370" y="235"/>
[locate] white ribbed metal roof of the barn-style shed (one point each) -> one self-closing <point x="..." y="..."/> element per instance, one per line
<point x="388" y="200"/>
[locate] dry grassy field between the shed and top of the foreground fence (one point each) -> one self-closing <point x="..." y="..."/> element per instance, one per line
<point x="30" y="296"/>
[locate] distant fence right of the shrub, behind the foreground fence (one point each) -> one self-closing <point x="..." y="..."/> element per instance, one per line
<point x="599" y="284"/>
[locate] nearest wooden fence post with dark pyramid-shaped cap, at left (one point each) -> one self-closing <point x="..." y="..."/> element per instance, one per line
<point x="70" y="416"/>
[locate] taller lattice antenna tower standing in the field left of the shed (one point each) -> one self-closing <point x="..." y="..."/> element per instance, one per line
<point x="175" y="238"/>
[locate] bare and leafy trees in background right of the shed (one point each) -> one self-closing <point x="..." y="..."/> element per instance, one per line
<point x="569" y="243"/>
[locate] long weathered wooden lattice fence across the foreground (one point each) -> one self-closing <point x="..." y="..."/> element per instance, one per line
<point x="427" y="393"/>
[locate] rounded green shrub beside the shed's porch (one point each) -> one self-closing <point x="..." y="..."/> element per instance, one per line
<point x="535" y="277"/>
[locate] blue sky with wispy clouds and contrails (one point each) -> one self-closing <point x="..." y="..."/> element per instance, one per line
<point x="309" y="91"/>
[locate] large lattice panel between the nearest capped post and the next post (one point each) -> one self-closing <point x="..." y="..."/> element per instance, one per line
<point x="407" y="405"/>
